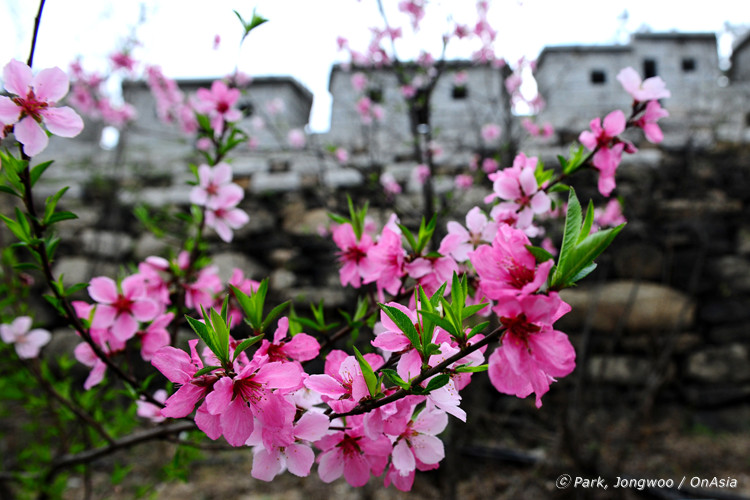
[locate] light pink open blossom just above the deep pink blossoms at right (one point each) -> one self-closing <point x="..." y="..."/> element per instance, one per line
<point x="518" y="185"/>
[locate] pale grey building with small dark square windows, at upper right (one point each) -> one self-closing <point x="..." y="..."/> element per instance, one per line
<point x="580" y="82"/>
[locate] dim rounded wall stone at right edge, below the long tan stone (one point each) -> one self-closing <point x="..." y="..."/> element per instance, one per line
<point x="729" y="363"/>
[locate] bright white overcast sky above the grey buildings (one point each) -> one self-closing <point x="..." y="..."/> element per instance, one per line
<point x="300" y="39"/>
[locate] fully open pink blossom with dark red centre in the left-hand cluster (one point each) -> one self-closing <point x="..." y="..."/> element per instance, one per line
<point x="121" y="310"/>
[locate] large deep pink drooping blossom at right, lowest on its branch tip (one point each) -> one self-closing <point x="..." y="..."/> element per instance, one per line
<point x="532" y="353"/>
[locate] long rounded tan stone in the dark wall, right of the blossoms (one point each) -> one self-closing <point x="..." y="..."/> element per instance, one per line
<point x="648" y="307"/>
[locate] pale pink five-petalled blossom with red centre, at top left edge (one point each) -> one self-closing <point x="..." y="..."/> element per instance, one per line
<point x="32" y="103"/>
